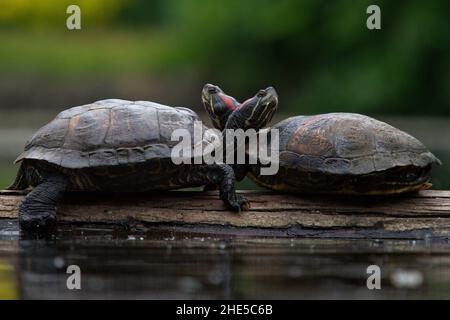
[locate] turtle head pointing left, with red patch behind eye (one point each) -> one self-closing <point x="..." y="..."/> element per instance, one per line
<point x="218" y="105"/>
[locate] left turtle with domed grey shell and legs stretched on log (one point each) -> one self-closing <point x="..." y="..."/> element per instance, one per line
<point x="117" y="145"/>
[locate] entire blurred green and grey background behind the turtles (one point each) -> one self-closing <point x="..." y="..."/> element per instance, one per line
<point x="318" y="54"/>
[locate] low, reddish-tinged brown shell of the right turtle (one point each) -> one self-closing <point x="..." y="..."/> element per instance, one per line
<point x="347" y="143"/>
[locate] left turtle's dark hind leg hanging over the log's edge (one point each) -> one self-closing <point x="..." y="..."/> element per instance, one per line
<point x="37" y="211"/>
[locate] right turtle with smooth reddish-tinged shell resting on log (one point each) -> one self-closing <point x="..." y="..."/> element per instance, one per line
<point x="343" y="153"/>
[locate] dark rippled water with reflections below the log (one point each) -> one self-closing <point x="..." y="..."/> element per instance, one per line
<point x="155" y="264"/>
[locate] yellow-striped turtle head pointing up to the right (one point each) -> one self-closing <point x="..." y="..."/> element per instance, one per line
<point x="256" y="112"/>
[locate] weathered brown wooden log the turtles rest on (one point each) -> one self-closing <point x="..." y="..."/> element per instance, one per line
<point x="410" y="216"/>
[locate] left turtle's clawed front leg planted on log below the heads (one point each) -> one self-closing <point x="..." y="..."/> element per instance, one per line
<point x="222" y="175"/>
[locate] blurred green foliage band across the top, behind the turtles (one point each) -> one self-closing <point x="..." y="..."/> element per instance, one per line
<point x="318" y="54"/>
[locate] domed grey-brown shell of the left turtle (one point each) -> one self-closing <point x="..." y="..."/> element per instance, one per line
<point x="108" y="133"/>
